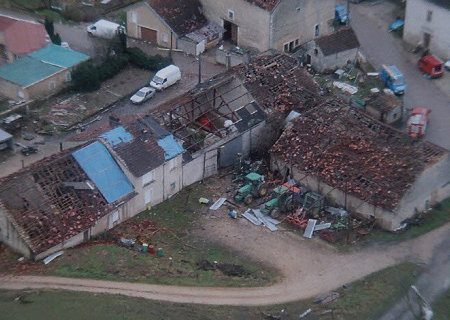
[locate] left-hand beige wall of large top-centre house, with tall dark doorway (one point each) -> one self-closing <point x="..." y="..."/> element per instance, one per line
<point x="252" y="21"/>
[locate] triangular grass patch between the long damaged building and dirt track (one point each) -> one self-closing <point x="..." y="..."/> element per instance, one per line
<point x="184" y="254"/>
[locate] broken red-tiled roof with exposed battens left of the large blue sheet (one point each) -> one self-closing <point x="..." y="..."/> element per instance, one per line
<point x="52" y="200"/>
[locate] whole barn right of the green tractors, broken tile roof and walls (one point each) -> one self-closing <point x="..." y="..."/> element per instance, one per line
<point x="363" y="165"/>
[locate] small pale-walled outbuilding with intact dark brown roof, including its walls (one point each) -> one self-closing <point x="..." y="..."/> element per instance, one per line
<point x="332" y="51"/>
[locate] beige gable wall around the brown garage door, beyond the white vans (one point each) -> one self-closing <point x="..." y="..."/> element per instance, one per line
<point x="147" y="18"/>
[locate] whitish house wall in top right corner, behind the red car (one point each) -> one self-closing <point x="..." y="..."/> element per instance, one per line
<point x="416" y="25"/>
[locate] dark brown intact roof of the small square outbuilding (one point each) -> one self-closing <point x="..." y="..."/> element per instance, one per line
<point x="339" y="41"/>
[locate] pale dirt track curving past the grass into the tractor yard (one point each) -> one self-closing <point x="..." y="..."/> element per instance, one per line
<point x="310" y="267"/>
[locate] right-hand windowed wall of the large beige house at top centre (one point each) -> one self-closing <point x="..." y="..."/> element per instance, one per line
<point x="294" y="19"/>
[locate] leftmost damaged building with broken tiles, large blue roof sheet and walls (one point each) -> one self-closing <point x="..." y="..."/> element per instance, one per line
<point x="62" y="201"/>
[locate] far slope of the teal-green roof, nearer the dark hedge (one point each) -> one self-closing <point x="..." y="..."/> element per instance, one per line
<point x="59" y="56"/>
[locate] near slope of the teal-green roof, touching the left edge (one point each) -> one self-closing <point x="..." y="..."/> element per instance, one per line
<point x="26" y="71"/>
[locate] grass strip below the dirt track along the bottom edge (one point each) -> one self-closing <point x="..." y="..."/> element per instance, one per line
<point x="364" y="299"/>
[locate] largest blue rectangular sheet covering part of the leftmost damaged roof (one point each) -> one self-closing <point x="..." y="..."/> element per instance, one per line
<point x="101" y="168"/>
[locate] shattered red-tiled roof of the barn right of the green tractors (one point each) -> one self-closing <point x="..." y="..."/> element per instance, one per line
<point x="349" y="150"/>
